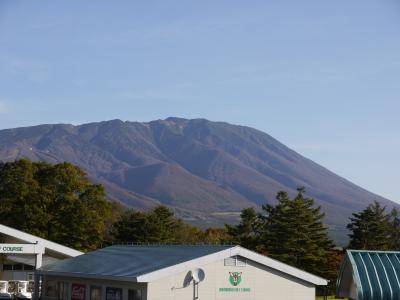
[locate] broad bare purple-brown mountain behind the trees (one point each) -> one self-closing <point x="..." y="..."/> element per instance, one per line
<point x="207" y="171"/>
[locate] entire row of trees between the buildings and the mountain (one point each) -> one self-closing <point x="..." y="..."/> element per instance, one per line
<point x="58" y="202"/>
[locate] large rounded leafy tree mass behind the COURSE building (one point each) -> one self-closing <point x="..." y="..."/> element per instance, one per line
<point x="55" y="202"/>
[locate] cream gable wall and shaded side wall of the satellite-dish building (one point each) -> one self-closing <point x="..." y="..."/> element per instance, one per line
<point x="257" y="283"/>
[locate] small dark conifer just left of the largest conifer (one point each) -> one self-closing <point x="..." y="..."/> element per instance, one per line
<point x="248" y="232"/>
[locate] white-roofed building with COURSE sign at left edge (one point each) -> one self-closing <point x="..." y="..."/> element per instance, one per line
<point x="21" y="253"/>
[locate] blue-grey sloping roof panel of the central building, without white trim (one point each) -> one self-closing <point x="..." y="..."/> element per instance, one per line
<point x="129" y="261"/>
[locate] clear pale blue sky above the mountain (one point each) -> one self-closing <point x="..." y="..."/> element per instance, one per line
<point x="323" y="77"/>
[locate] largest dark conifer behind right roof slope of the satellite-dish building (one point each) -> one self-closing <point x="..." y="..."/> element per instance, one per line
<point x="294" y="233"/>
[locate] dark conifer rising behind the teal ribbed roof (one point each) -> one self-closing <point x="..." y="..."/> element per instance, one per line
<point x="370" y="229"/>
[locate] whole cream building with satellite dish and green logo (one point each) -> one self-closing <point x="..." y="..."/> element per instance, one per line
<point x="173" y="273"/>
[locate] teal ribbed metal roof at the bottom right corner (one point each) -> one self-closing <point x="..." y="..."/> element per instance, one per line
<point x="376" y="274"/>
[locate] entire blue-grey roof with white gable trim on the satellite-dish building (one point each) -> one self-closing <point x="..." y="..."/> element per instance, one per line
<point x="150" y="263"/>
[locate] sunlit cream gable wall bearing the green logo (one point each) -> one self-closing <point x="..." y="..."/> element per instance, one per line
<point x="257" y="282"/>
